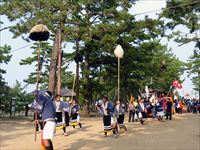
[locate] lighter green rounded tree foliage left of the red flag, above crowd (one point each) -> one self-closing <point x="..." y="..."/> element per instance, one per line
<point x="166" y="68"/>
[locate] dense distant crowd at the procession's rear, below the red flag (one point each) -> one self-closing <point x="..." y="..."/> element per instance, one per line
<point x="160" y="106"/>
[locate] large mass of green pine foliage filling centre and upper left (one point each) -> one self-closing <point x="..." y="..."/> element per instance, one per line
<point x="98" y="26"/>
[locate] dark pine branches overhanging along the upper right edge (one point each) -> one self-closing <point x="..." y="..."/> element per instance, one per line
<point x="186" y="13"/>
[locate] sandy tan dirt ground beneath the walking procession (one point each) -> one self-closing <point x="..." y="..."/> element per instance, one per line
<point x="180" y="133"/>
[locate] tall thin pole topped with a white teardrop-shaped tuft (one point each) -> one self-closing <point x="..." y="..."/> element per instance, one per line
<point x="119" y="52"/>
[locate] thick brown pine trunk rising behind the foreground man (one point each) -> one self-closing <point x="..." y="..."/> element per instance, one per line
<point x="54" y="60"/>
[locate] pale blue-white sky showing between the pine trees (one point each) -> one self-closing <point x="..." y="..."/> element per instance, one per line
<point x="17" y="72"/>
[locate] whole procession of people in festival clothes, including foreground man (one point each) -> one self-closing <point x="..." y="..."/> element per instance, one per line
<point x="53" y="112"/>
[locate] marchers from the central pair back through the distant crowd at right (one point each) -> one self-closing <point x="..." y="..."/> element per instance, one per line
<point x="156" y="106"/>
